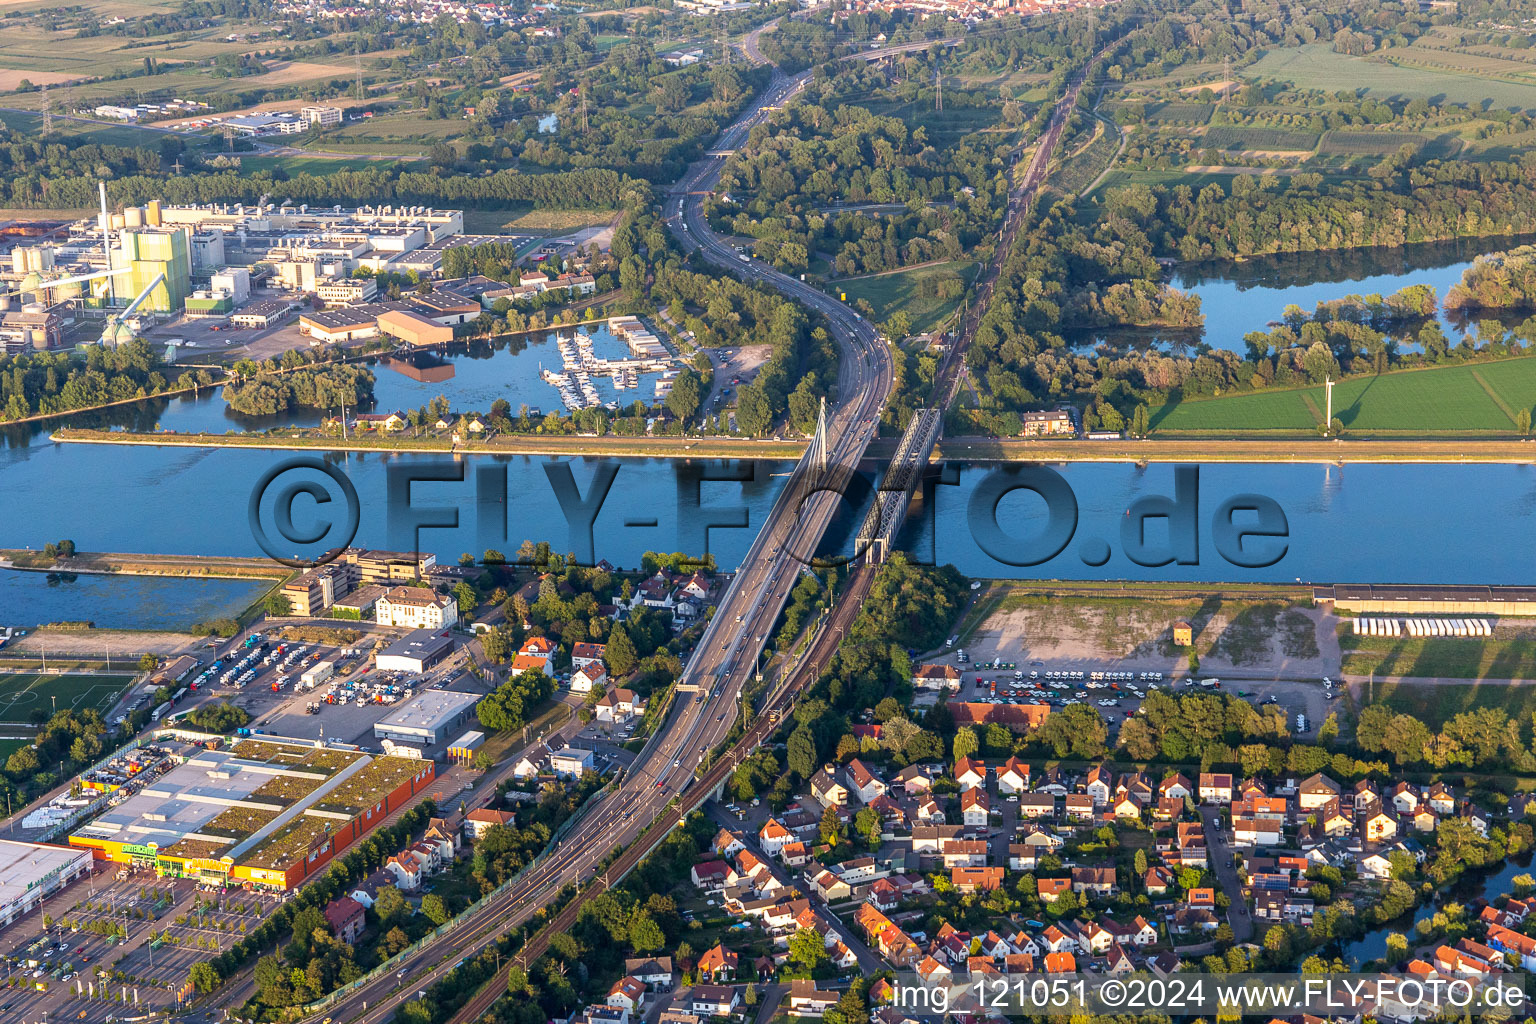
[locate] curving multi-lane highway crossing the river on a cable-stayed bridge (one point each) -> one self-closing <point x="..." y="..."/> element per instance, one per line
<point x="727" y="658"/>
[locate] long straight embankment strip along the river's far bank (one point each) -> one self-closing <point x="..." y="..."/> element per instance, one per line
<point x="953" y="449"/>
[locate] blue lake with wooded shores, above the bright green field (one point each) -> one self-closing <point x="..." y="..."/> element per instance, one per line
<point x="1243" y="297"/>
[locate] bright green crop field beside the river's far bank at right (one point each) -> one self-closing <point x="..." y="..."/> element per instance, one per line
<point x="1468" y="400"/>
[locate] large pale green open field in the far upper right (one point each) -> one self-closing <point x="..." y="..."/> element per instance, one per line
<point x="1317" y="67"/>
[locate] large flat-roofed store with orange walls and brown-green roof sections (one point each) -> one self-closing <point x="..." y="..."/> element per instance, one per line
<point x="262" y="814"/>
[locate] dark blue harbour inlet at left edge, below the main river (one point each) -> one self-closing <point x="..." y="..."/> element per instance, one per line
<point x="122" y="603"/>
